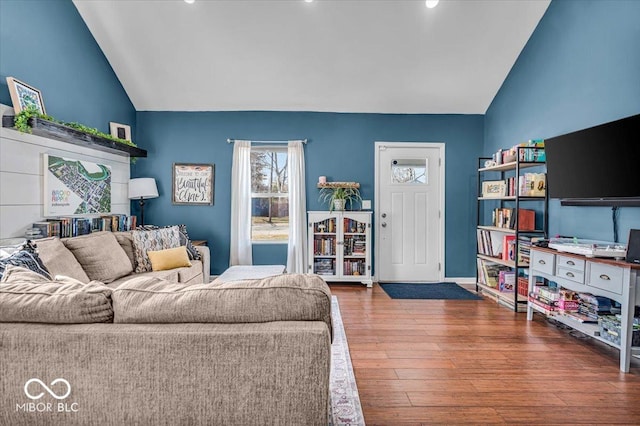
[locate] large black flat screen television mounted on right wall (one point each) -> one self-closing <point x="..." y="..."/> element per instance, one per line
<point x="598" y="166"/>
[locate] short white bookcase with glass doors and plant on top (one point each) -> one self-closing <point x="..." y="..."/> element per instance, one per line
<point x="340" y="246"/>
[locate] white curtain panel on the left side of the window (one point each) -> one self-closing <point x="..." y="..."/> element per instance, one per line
<point x="240" y="244"/>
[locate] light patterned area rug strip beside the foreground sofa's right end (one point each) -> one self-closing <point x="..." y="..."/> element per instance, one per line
<point x="345" y="408"/>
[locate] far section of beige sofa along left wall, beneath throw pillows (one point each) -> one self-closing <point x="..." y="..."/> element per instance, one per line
<point x="109" y="257"/>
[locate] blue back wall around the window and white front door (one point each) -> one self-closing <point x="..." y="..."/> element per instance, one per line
<point x="341" y="147"/>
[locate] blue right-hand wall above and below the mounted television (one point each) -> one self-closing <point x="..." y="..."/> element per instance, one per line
<point x="580" y="68"/>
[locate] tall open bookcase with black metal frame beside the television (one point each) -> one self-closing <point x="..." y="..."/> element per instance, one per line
<point x="511" y="216"/>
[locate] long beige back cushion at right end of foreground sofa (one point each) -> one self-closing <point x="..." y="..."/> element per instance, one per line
<point x="288" y="297"/>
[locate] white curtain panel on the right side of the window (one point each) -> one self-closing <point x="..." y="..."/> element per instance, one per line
<point x="296" y="251"/>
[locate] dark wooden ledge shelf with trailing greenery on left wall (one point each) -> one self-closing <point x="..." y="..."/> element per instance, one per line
<point x="63" y="133"/>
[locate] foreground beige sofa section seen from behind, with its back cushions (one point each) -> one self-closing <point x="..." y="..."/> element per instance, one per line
<point x="154" y="352"/>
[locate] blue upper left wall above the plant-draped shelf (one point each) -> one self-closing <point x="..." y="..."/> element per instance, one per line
<point x="46" y="44"/>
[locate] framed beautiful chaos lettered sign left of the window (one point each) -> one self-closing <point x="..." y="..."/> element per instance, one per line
<point x="193" y="184"/>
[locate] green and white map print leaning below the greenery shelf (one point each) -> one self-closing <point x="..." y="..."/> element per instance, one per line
<point x="75" y="187"/>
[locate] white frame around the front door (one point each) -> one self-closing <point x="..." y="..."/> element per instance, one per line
<point x="441" y="222"/>
